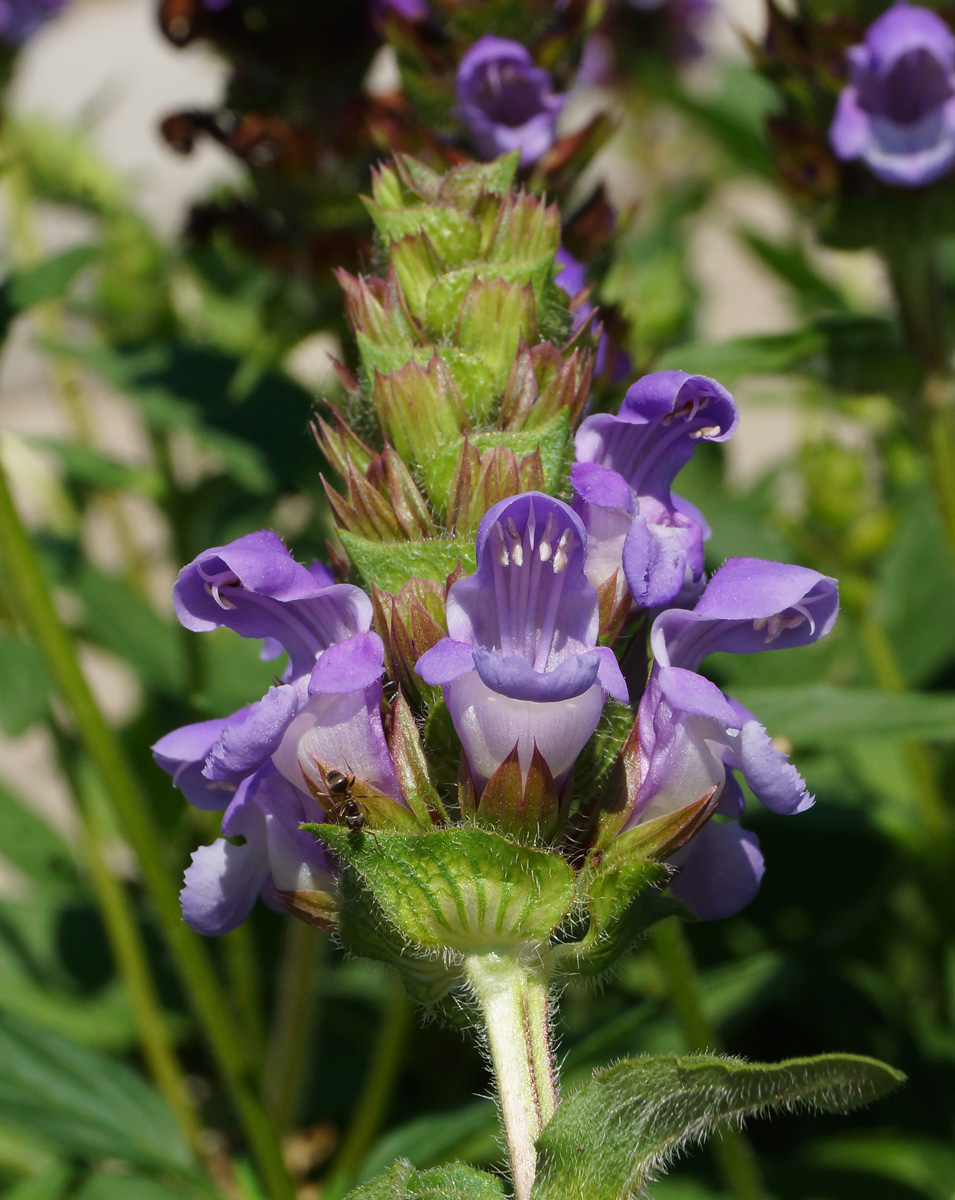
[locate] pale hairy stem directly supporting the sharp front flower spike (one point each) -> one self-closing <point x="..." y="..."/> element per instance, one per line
<point x="514" y="1000"/>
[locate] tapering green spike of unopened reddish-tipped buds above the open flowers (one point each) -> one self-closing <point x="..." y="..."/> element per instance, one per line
<point x="470" y="376"/>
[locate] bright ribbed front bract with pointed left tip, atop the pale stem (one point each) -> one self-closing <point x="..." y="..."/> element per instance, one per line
<point x="459" y="889"/>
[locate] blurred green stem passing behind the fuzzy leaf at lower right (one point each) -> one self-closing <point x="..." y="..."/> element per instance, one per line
<point x="734" y="1154"/>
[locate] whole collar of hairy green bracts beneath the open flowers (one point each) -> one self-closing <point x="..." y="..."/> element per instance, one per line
<point x="428" y="901"/>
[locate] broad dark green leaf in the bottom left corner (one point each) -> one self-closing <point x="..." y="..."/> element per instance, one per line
<point x="82" y="1102"/>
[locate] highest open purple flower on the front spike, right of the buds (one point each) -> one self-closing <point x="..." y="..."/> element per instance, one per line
<point x="623" y="476"/>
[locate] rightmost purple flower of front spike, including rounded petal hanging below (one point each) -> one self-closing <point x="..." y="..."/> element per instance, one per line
<point x="692" y="734"/>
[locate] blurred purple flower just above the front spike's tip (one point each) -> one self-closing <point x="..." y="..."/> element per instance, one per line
<point x="507" y="101"/>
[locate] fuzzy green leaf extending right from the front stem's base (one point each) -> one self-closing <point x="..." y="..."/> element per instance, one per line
<point x="635" y="1117"/>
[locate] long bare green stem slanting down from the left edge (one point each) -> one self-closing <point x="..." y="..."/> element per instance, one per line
<point x="39" y="615"/>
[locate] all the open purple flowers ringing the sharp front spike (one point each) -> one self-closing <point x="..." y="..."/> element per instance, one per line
<point x="522" y="673"/>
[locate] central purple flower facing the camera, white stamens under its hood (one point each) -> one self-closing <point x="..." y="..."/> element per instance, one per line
<point x="521" y="667"/>
